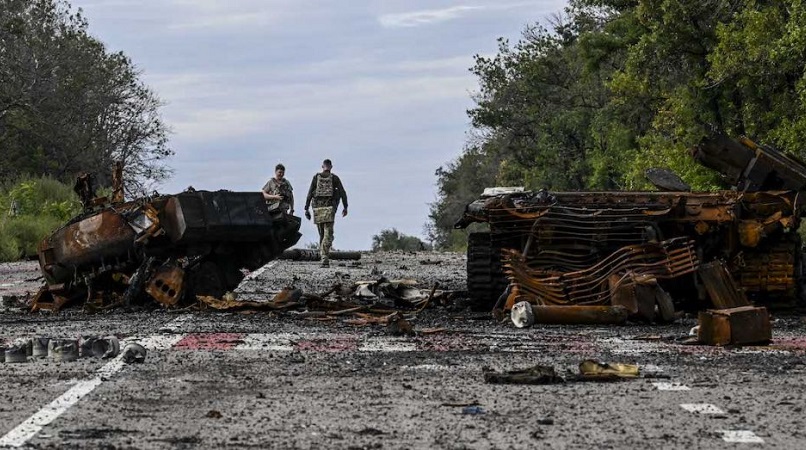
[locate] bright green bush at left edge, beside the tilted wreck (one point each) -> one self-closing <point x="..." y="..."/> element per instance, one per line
<point x="39" y="207"/>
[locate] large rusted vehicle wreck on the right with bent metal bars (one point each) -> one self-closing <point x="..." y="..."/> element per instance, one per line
<point x="589" y="248"/>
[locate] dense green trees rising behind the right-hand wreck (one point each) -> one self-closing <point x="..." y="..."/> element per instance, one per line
<point x="614" y="87"/>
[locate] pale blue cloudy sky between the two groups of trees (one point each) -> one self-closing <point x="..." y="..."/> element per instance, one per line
<point x="379" y="86"/>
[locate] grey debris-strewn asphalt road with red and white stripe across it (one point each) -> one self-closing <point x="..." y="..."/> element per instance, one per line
<point x="263" y="380"/>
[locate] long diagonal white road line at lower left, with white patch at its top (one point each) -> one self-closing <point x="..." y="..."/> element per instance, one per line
<point x="23" y="432"/>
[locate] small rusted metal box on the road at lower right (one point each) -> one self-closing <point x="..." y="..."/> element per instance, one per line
<point x="742" y="325"/>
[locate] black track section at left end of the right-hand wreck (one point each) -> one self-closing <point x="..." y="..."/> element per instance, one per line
<point x="485" y="276"/>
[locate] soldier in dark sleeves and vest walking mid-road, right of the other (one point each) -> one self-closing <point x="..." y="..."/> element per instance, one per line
<point x="326" y="191"/>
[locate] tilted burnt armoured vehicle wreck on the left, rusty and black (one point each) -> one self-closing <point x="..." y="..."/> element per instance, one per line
<point x="169" y="248"/>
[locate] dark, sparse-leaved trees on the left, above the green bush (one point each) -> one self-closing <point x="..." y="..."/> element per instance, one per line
<point x="68" y="105"/>
